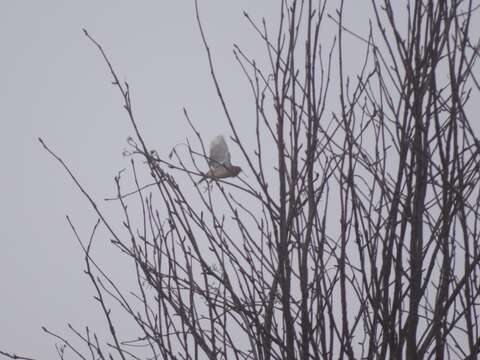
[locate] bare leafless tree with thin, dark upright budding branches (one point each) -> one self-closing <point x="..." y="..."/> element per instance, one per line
<point x="359" y="241"/>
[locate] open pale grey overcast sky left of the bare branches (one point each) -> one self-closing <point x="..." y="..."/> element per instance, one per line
<point x="56" y="86"/>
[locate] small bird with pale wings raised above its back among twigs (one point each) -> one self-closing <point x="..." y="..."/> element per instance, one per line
<point x="219" y="161"/>
